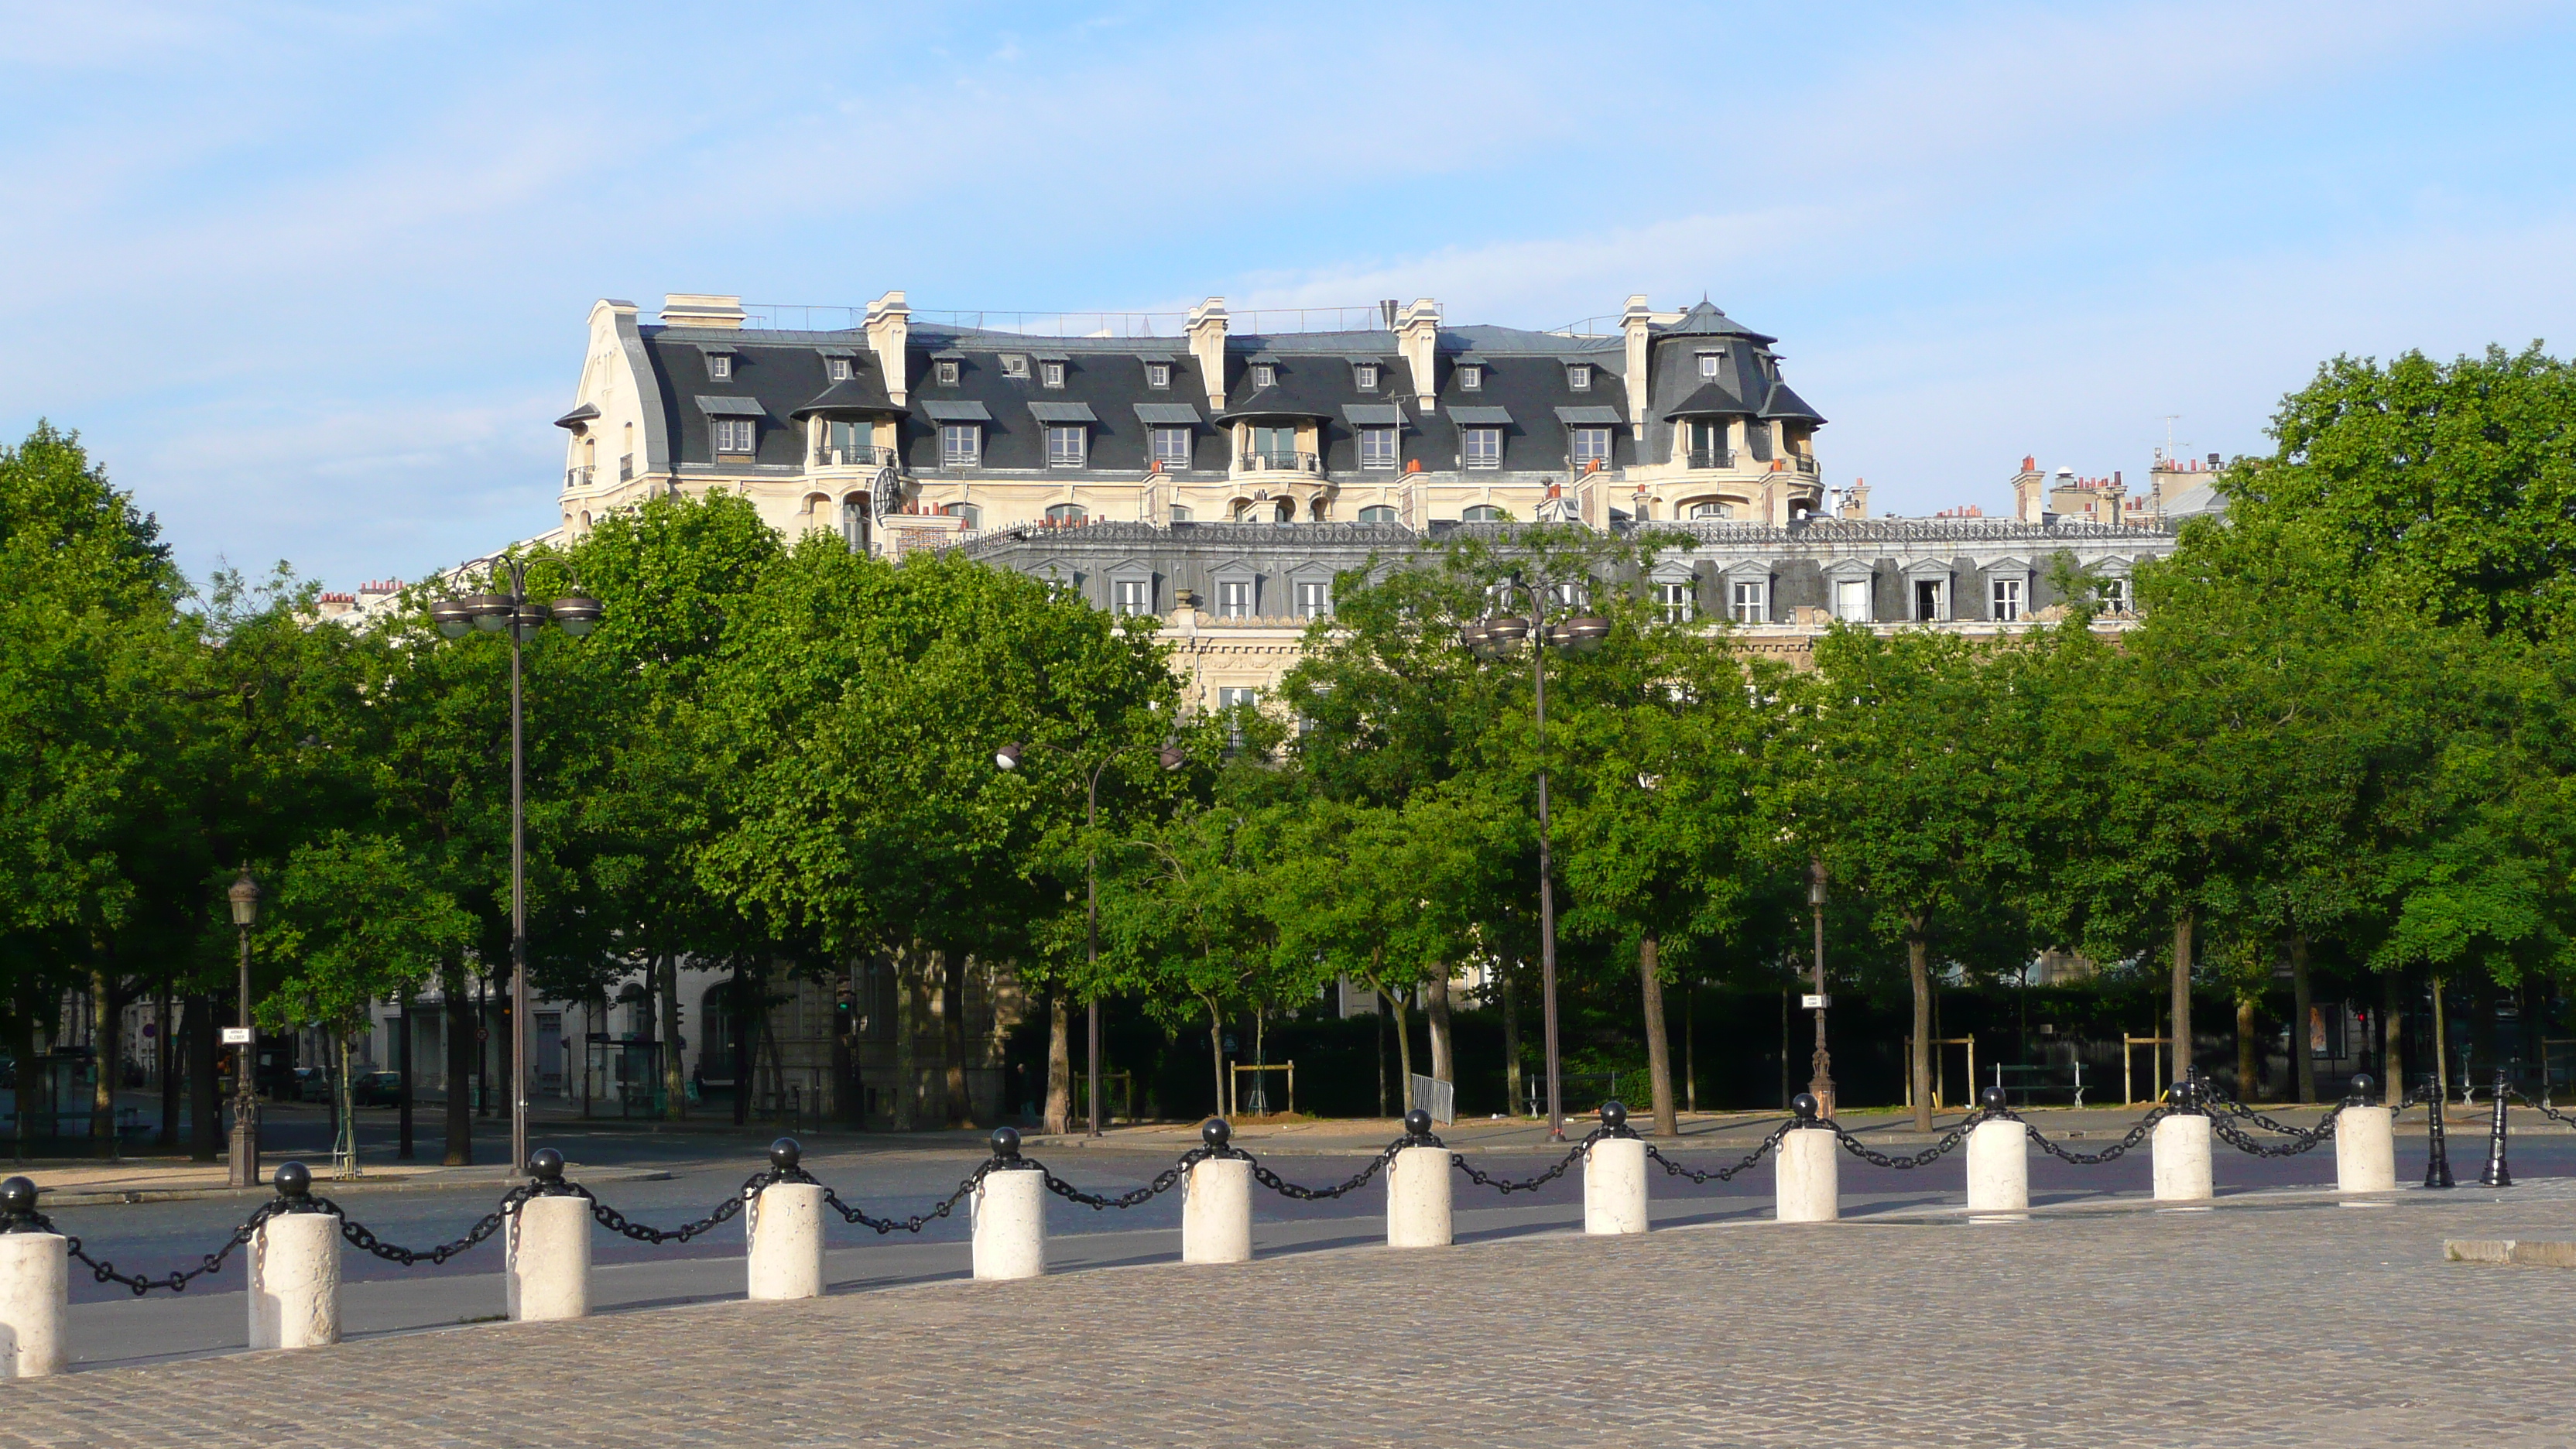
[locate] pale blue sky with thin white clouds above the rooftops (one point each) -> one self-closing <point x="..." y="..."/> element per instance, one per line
<point x="310" y="280"/>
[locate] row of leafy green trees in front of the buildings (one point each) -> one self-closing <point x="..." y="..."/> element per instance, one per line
<point x="2338" y="736"/>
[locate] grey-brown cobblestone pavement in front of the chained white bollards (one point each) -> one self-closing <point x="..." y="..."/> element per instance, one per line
<point x="2291" y="1321"/>
